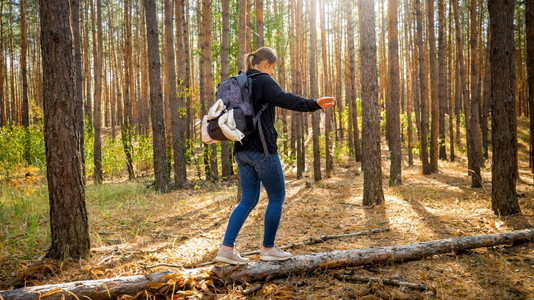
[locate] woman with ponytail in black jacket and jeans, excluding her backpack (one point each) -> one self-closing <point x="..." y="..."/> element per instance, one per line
<point x="256" y="166"/>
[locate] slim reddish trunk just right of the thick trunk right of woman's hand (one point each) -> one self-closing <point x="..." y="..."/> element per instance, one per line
<point x="392" y="110"/>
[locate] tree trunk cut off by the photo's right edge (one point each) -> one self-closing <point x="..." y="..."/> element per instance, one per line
<point x="529" y="20"/>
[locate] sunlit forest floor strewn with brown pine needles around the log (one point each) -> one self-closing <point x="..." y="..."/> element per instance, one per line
<point x="185" y="228"/>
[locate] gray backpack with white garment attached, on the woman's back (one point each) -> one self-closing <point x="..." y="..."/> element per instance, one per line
<point x="232" y="117"/>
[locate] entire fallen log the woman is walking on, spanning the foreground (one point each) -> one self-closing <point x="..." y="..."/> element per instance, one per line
<point x="131" y="285"/>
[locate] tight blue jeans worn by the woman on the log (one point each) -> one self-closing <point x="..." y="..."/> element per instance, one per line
<point x="255" y="168"/>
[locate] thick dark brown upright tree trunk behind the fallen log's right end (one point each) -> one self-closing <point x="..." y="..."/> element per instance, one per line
<point x="504" y="124"/>
